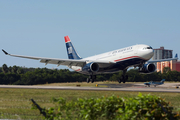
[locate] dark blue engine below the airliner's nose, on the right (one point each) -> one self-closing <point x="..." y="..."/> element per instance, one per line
<point x="147" y="68"/>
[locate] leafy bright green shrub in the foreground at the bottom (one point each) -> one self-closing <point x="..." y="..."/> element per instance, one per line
<point x="141" y="107"/>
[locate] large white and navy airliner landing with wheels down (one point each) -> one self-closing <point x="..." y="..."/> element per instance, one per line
<point x="105" y="63"/>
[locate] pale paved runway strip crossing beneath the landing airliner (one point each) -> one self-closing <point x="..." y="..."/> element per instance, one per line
<point x="110" y="87"/>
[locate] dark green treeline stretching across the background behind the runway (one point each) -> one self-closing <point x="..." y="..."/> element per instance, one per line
<point x="30" y="76"/>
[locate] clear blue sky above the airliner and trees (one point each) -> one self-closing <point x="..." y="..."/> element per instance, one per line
<point x="37" y="28"/>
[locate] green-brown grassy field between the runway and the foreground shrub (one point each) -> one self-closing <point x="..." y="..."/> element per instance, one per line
<point x="15" y="103"/>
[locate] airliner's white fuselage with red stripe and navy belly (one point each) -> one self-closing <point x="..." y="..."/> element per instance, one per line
<point x="131" y="56"/>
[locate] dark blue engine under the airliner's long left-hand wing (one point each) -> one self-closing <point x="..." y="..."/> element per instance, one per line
<point x="91" y="67"/>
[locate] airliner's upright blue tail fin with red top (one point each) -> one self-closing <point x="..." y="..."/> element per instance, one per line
<point x="72" y="54"/>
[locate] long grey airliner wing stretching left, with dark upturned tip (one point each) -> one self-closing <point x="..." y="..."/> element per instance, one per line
<point x="67" y="62"/>
